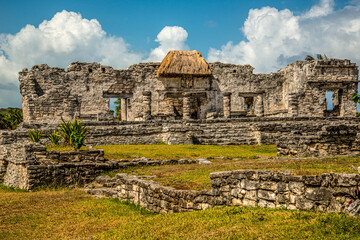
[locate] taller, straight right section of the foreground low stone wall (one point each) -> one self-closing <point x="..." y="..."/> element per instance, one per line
<point x="326" y="192"/>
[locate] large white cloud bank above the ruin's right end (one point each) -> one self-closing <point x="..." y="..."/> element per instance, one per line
<point x="276" y="38"/>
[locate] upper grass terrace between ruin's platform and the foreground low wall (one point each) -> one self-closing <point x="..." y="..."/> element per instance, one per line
<point x="196" y="176"/>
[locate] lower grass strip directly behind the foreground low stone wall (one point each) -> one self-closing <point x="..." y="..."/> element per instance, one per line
<point x="197" y="177"/>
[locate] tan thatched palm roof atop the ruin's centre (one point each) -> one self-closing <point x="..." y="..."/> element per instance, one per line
<point x="184" y="63"/>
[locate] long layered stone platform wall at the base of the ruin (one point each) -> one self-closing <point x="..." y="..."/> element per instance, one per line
<point x="293" y="136"/>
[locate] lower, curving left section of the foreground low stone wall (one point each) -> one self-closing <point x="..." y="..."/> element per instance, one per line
<point x="152" y="195"/>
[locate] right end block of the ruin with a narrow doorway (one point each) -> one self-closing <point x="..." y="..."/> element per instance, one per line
<point x="308" y="82"/>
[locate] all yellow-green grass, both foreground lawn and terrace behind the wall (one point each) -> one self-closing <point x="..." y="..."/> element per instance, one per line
<point x="72" y="214"/>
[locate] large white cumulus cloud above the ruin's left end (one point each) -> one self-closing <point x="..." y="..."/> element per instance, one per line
<point x="65" y="38"/>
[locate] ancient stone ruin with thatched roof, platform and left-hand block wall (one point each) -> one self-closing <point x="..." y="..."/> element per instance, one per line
<point x="182" y="100"/>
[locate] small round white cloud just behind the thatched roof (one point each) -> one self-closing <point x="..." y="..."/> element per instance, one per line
<point x="169" y="38"/>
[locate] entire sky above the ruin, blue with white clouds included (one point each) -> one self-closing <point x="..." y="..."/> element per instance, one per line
<point x="266" y="34"/>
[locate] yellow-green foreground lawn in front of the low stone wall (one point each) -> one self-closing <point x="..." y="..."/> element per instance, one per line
<point x="72" y="214"/>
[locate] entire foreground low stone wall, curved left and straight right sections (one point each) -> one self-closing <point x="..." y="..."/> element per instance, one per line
<point x="326" y="192"/>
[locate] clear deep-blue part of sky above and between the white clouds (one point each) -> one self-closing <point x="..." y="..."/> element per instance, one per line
<point x="209" y="23"/>
